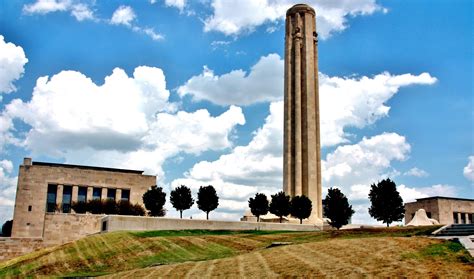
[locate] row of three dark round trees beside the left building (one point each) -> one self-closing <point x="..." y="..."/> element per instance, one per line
<point x="181" y="199"/>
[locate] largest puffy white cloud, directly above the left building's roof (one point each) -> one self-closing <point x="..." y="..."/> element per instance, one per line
<point x="125" y="122"/>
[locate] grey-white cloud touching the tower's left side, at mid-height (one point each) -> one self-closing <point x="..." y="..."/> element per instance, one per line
<point x="263" y="83"/>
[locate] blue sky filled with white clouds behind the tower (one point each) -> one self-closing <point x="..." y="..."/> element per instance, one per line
<point x="191" y="91"/>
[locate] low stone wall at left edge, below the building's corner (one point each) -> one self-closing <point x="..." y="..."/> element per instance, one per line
<point x="14" y="247"/>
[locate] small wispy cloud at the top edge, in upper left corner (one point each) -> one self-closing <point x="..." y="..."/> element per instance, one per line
<point x="79" y="10"/>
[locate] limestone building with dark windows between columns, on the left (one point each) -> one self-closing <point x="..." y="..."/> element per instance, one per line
<point x="47" y="188"/>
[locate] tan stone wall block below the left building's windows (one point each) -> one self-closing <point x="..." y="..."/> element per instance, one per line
<point x="61" y="228"/>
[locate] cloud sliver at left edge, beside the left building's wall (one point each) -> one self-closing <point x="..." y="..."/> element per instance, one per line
<point x="7" y="190"/>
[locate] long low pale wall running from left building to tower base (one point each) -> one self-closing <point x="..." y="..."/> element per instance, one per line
<point x="137" y="223"/>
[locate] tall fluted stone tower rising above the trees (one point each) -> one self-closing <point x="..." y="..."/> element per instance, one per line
<point x="302" y="150"/>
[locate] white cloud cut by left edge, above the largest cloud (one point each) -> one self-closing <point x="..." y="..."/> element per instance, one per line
<point x="12" y="63"/>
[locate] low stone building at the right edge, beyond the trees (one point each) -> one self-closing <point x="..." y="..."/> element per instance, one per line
<point x="443" y="209"/>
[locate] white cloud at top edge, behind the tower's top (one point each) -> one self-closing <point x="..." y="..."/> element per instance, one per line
<point x="234" y="17"/>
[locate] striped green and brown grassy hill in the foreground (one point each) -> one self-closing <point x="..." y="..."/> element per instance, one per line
<point x="379" y="252"/>
